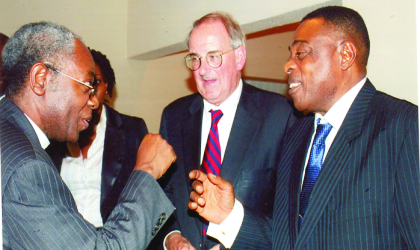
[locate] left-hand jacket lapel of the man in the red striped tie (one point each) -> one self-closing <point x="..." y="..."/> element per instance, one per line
<point x="191" y="134"/>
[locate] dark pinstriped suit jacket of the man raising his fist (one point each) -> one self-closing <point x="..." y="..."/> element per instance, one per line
<point x="38" y="209"/>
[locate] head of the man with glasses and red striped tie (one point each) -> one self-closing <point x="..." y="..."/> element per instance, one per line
<point x="217" y="55"/>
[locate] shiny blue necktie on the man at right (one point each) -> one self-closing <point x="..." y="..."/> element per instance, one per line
<point x="313" y="167"/>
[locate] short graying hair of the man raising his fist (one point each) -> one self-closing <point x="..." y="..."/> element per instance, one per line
<point x="33" y="43"/>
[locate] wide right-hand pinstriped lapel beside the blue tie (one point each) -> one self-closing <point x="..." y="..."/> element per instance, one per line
<point x="335" y="162"/>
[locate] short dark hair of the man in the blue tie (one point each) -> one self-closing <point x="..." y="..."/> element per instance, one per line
<point x="349" y="23"/>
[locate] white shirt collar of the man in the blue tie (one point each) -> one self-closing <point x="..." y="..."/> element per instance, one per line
<point x="335" y="116"/>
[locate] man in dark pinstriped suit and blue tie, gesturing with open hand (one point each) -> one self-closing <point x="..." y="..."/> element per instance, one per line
<point x="367" y="192"/>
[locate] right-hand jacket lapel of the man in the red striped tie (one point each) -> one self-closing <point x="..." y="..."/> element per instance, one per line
<point x="244" y="129"/>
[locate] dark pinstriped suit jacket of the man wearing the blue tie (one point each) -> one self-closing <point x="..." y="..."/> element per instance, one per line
<point x="367" y="195"/>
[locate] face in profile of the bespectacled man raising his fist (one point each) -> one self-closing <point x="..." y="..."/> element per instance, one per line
<point x="69" y="109"/>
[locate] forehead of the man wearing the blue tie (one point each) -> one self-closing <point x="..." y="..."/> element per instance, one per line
<point x="311" y="32"/>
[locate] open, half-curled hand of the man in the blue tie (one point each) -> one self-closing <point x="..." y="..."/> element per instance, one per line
<point x="213" y="198"/>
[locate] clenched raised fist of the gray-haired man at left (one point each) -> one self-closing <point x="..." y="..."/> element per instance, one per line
<point x="154" y="155"/>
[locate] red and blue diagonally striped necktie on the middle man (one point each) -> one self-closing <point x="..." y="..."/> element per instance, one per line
<point x="212" y="159"/>
